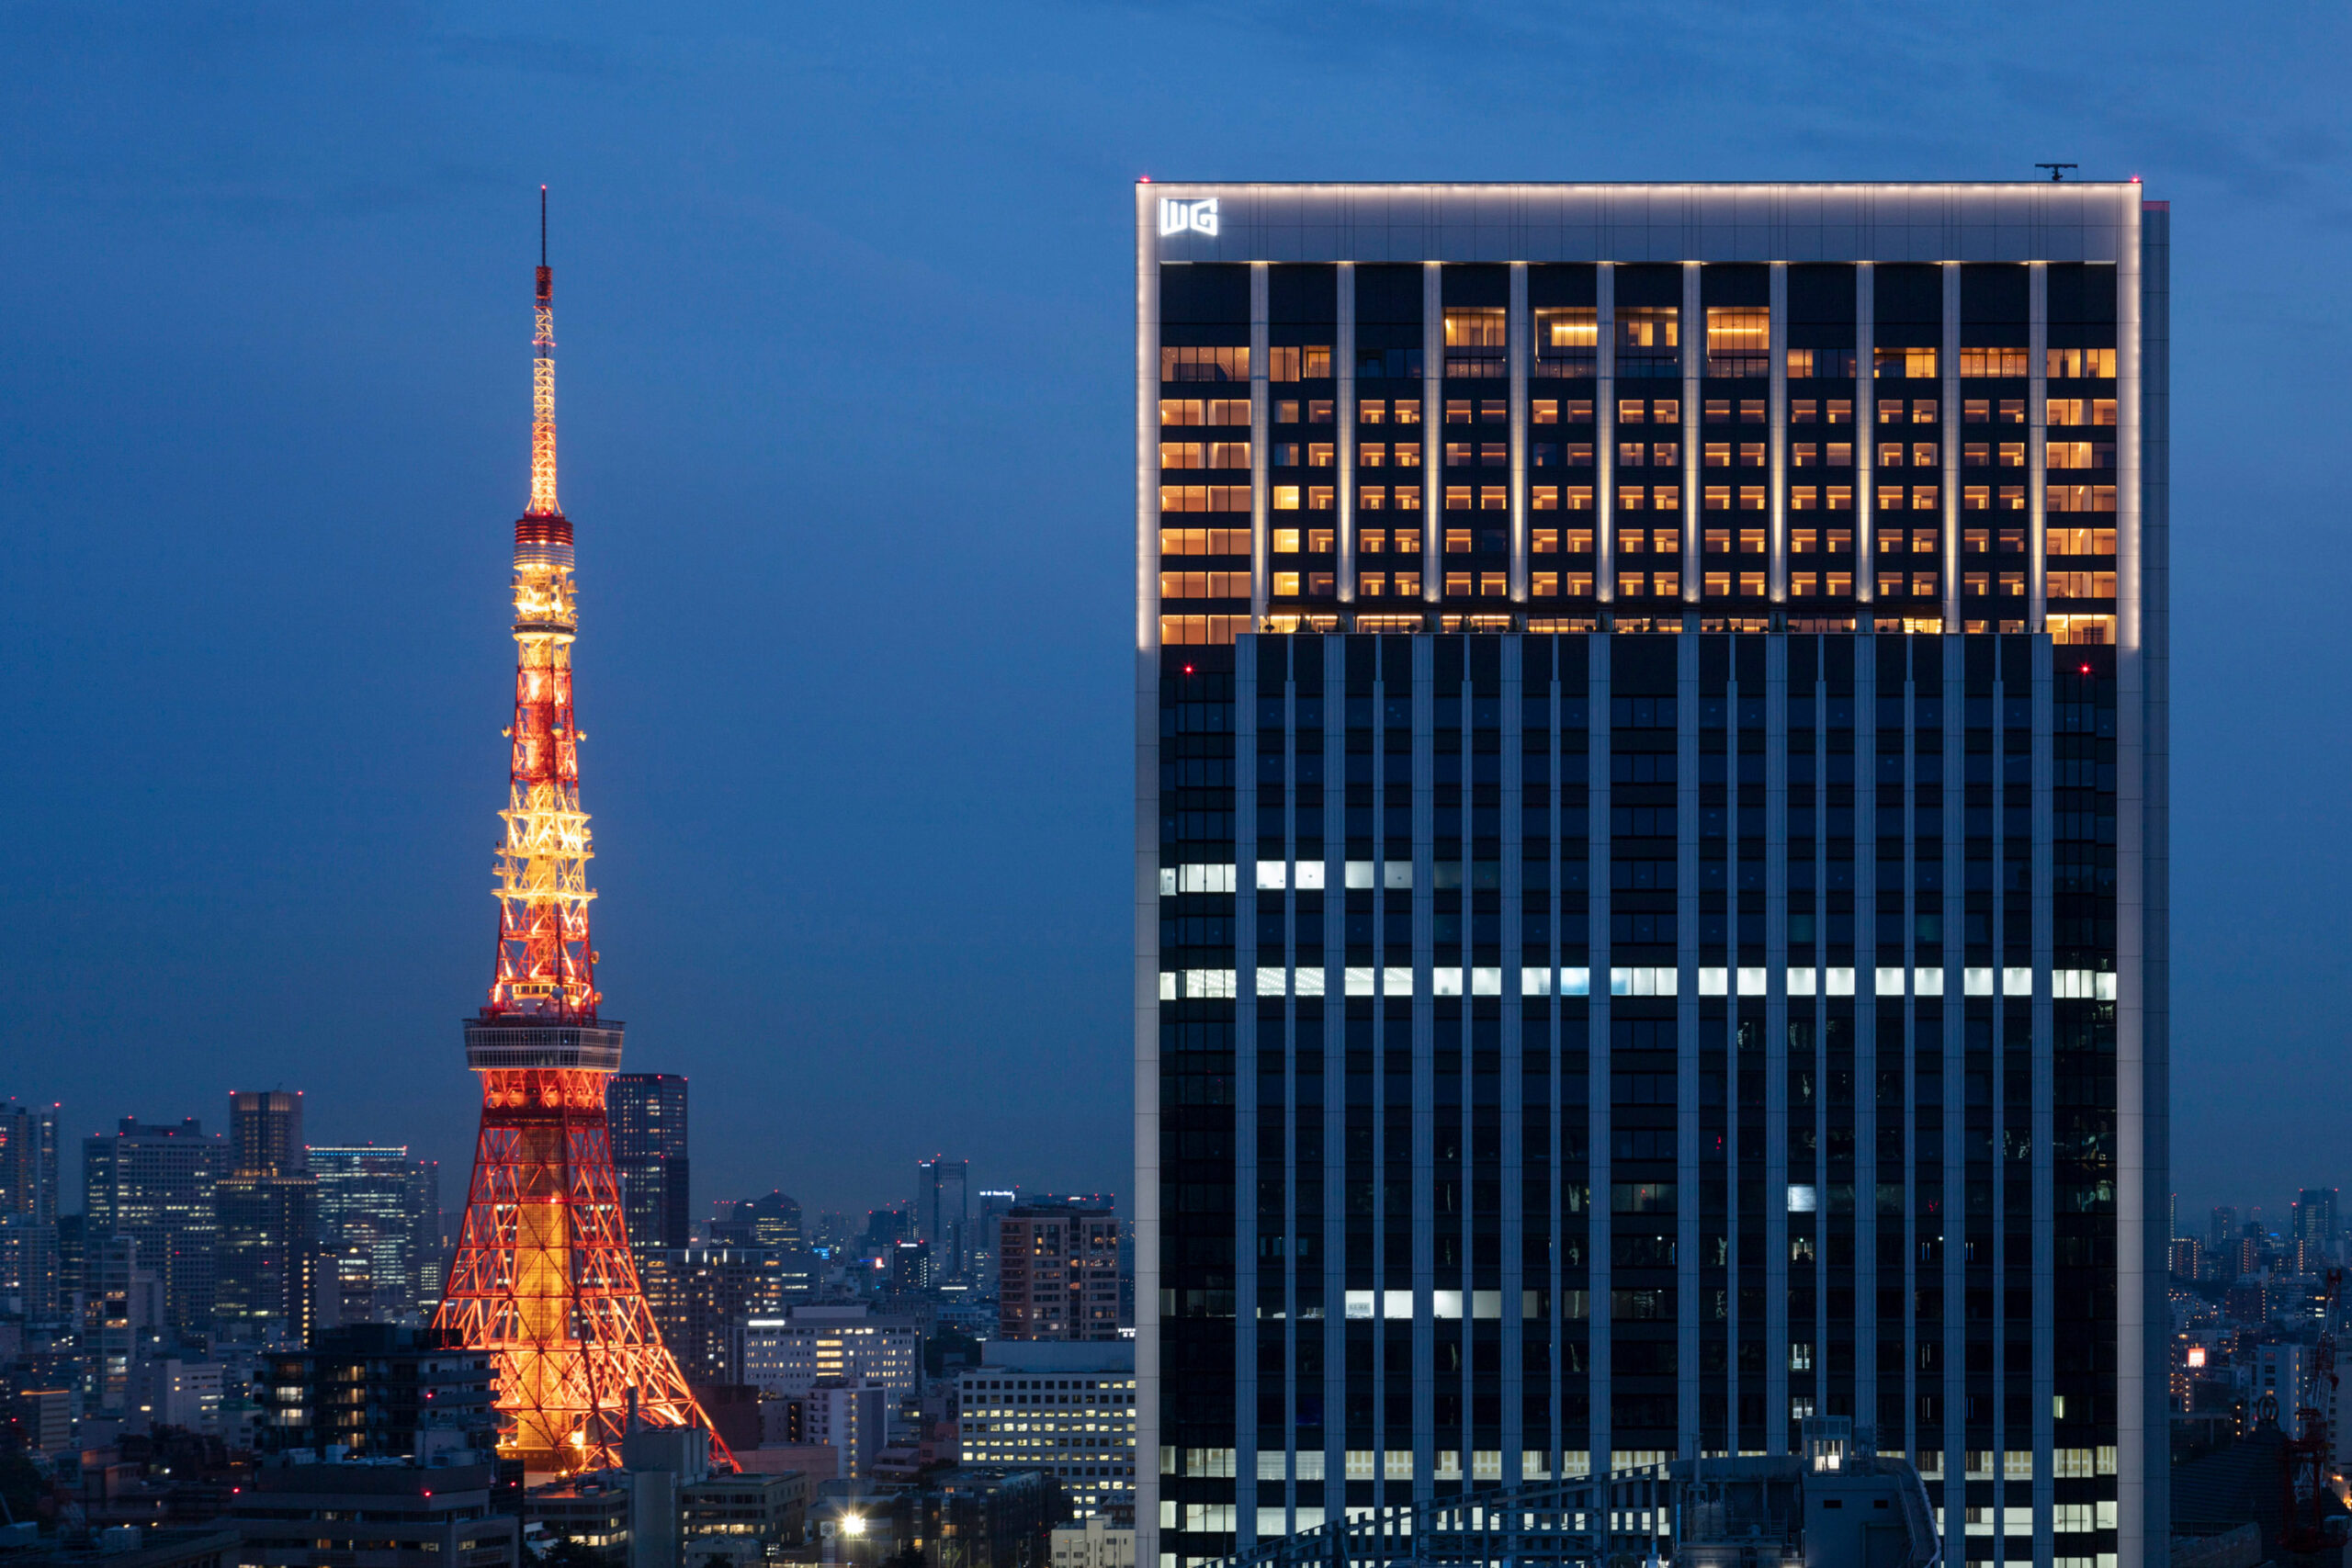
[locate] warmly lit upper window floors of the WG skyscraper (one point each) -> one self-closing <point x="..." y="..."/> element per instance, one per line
<point x="1850" y="448"/>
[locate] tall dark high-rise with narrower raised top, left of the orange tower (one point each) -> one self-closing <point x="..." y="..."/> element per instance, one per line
<point x="267" y="1242"/>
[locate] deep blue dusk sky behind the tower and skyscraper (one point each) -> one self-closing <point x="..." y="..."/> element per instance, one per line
<point x="824" y="911"/>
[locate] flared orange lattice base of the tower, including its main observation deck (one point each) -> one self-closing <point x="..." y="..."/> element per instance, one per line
<point x="542" y="1275"/>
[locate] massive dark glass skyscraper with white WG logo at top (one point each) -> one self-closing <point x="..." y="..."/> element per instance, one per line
<point x="1652" y="843"/>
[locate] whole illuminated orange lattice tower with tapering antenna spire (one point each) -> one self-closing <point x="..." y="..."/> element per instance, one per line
<point x="542" y="1278"/>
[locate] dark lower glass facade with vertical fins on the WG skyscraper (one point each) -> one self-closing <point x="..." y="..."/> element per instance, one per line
<point x="1612" y="1047"/>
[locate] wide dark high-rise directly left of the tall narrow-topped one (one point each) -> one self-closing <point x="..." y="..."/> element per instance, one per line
<point x="161" y="1188"/>
